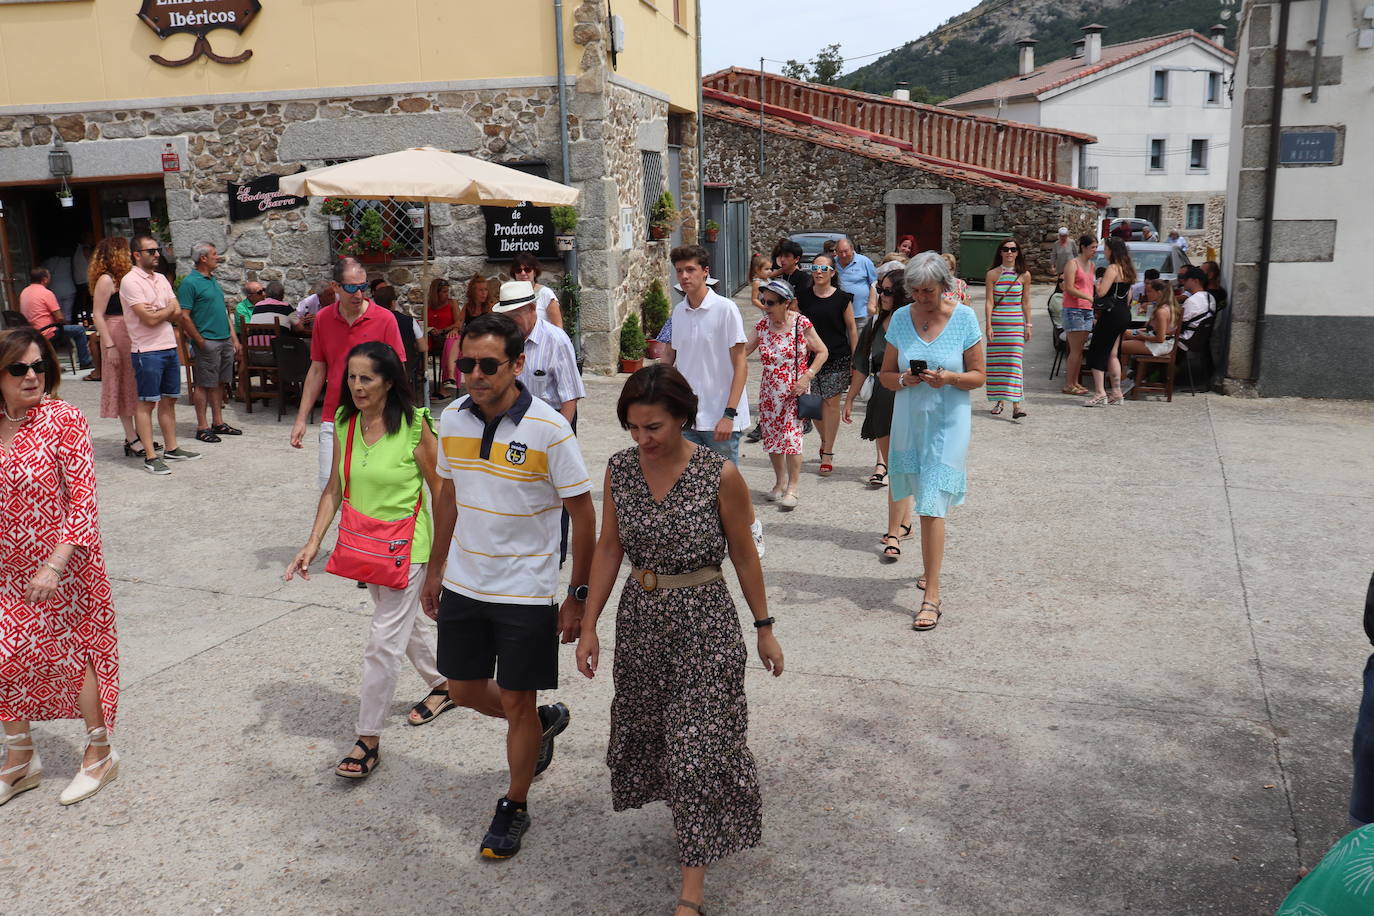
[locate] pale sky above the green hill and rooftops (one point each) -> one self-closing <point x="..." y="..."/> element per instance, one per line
<point x="737" y="32"/>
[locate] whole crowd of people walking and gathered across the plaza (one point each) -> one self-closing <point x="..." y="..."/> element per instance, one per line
<point x="510" y="492"/>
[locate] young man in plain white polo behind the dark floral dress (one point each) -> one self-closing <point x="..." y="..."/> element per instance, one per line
<point x="708" y="348"/>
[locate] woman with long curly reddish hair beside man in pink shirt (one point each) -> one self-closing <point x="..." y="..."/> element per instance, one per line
<point x="119" y="393"/>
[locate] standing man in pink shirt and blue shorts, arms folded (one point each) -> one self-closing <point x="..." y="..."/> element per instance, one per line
<point x="148" y="296"/>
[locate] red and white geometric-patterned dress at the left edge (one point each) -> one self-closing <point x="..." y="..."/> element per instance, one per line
<point x="47" y="498"/>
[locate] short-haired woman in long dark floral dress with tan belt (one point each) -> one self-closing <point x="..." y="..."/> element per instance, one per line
<point x="679" y="719"/>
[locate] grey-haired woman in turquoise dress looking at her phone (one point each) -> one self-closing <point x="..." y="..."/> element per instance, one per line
<point x="932" y="414"/>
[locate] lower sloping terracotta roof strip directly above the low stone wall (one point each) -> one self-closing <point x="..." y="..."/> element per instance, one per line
<point x="798" y="126"/>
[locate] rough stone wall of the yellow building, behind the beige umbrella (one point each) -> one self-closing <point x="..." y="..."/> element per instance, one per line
<point x="234" y="142"/>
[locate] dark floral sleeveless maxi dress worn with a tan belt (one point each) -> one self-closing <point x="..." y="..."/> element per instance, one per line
<point x="679" y="719"/>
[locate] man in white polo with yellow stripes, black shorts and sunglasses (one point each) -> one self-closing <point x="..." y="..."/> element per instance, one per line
<point x="509" y="462"/>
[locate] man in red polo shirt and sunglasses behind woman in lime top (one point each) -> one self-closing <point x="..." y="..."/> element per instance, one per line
<point x="339" y="329"/>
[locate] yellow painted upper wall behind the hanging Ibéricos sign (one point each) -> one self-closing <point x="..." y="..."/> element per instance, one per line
<point x="98" y="50"/>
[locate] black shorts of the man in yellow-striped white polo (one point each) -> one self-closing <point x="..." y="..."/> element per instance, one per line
<point x="517" y="643"/>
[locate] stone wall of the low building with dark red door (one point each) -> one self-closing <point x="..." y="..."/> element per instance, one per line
<point x="809" y="186"/>
